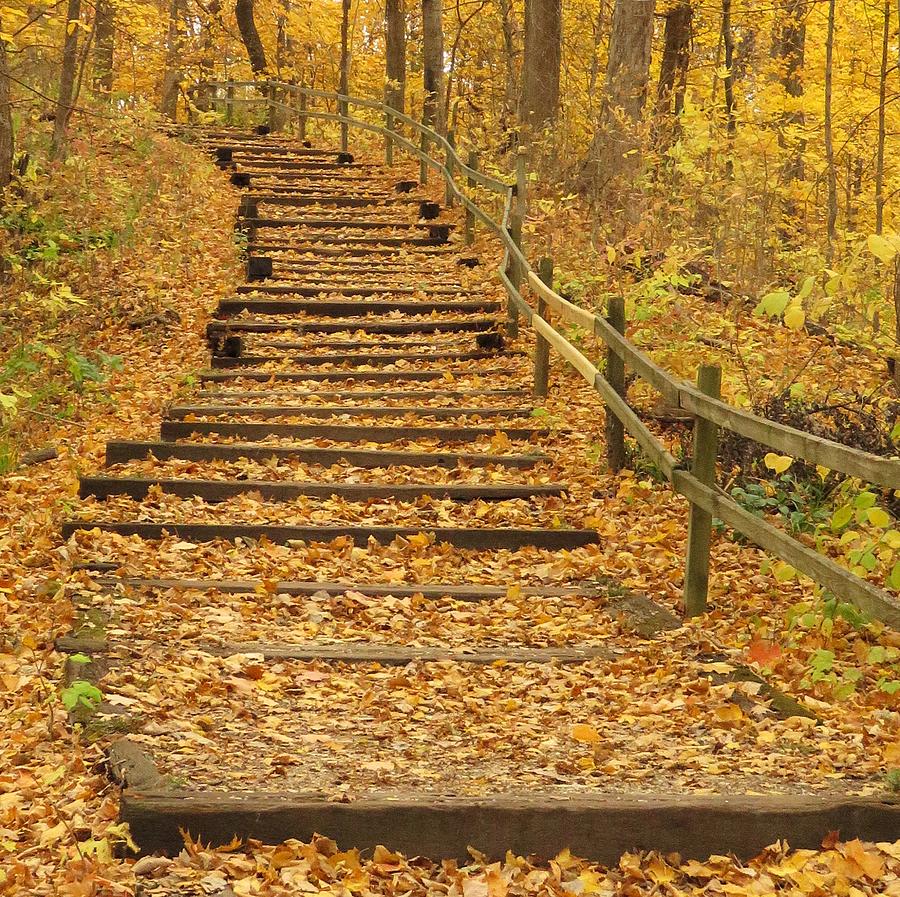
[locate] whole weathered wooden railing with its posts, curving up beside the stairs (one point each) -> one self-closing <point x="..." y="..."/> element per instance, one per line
<point x="289" y="101"/>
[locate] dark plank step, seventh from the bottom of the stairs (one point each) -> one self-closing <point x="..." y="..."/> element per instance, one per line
<point x="178" y="429"/>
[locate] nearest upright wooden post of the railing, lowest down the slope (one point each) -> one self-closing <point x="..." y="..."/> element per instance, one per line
<point x="703" y="467"/>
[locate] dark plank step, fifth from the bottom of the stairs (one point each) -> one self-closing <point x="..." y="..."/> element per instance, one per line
<point x="220" y="490"/>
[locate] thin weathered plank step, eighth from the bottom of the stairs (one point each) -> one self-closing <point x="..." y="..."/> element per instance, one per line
<point x="179" y="412"/>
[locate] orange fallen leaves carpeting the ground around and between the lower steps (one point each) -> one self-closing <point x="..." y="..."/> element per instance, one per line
<point x="647" y="714"/>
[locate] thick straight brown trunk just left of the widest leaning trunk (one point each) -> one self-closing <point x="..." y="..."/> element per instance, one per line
<point x="540" y="69"/>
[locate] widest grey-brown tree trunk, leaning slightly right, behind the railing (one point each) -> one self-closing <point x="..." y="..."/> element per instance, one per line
<point x="615" y="148"/>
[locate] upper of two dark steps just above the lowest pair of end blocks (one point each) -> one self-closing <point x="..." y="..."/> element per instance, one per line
<point x="346" y="308"/>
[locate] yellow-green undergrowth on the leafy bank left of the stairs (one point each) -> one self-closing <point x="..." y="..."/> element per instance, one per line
<point x="95" y="241"/>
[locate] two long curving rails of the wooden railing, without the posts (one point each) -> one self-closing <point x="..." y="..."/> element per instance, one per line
<point x="871" y="468"/>
